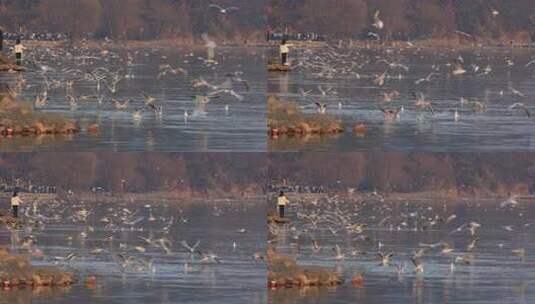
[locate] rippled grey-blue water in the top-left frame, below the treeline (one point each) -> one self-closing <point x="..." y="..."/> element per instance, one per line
<point x="241" y="127"/>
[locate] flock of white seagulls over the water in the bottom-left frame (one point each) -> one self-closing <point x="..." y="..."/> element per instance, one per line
<point x="100" y="234"/>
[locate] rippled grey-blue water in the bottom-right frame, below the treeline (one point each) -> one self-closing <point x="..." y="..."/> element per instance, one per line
<point x="496" y="275"/>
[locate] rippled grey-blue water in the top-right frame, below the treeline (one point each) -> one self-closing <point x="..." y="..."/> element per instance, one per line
<point x="496" y="129"/>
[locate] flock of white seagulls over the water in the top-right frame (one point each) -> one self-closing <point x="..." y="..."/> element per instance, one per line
<point x="402" y="85"/>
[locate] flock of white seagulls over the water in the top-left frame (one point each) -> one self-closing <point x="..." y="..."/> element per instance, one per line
<point x="86" y="77"/>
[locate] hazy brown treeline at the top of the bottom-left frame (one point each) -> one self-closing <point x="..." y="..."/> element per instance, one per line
<point x="138" y="172"/>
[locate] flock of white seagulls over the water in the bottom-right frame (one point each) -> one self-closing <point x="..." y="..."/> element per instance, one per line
<point x="360" y="230"/>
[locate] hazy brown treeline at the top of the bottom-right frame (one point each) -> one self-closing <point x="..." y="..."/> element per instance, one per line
<point x="406" y="173"/>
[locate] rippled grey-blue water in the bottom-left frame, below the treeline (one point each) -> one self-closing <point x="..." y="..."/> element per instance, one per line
<point x="237" y="279"/>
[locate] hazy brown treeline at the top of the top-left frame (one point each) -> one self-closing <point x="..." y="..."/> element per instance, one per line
<point x="134" y="19"/>
